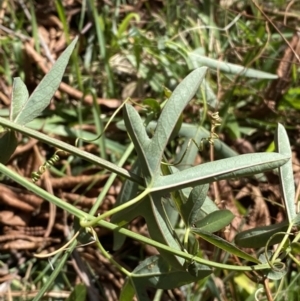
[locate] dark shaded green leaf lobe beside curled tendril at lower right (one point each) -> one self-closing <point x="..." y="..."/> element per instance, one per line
<point x="258" y="237"/>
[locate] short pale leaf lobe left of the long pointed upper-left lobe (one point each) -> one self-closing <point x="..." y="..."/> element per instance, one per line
<point x="18" y="98"/>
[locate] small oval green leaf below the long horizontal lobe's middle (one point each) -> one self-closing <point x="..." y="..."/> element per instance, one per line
<point x="215" y="221"/>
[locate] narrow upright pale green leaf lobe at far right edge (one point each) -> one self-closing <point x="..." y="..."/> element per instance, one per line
<point x="286" y="174"/>
